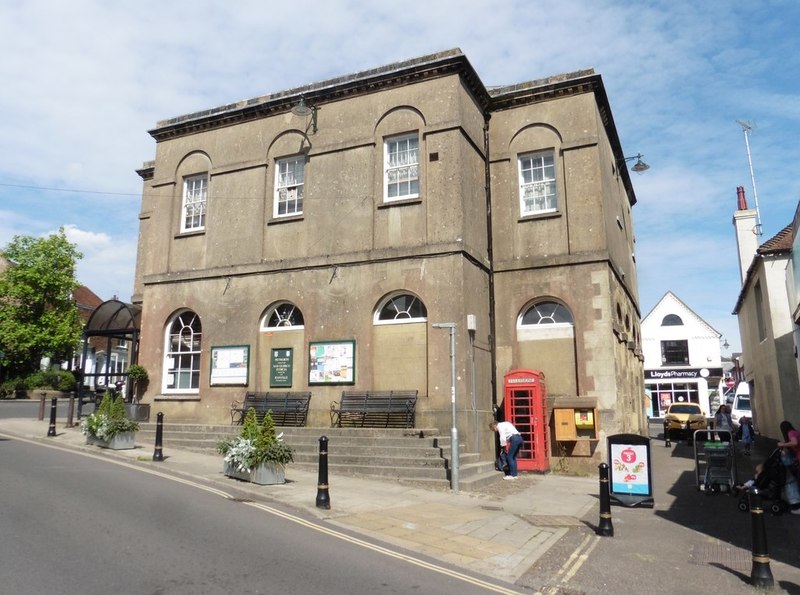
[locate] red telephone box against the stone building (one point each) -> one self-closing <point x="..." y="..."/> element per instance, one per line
<point x="525" y="406"/>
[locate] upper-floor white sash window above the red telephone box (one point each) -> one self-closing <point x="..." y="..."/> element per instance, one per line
<point x="538" y="192"/>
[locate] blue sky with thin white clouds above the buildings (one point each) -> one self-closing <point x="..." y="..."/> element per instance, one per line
<point x="83" y="81"/>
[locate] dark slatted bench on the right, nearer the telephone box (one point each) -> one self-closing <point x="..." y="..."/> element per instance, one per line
<point x="375" y="409"/>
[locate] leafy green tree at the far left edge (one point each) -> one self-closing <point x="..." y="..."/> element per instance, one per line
<point x="38" y="315"/>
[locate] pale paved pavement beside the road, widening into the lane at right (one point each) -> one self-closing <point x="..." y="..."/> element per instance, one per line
<point x="534" y="533"/>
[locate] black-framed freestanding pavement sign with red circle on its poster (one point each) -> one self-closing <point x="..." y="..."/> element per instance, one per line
<point x="630" y="471"/>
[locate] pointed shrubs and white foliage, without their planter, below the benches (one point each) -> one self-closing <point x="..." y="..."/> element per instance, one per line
<point x="257" y="443"/>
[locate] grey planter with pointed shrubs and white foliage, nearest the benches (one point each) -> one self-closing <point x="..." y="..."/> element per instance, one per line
<point x="257" y="454"/>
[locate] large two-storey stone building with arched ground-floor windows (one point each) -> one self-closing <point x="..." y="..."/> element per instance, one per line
<point x="331" y="226"/>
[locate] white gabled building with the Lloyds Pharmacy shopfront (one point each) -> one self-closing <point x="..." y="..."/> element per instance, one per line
<point x="682" y="357"/>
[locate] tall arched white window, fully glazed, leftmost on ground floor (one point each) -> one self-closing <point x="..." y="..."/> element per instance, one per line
<point x="183" y="347"/>
